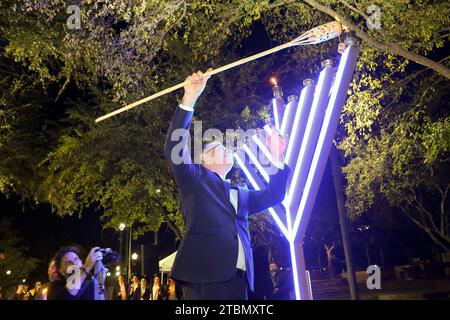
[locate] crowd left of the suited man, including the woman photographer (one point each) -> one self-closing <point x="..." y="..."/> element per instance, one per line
<point x="91" y="285"/>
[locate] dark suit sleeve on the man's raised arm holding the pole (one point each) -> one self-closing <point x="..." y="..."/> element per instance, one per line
<point x="176" y="149"/>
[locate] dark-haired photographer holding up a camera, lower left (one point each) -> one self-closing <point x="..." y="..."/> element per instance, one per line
<point x="79" y="281"/>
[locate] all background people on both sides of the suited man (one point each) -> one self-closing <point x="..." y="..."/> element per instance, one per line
<point x="137" y="288"/>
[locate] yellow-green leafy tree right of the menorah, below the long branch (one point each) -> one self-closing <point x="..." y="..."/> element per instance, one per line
<point x="401" y="154"/>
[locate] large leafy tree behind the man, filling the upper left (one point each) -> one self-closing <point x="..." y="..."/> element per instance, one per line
<point x="71" y="77"/>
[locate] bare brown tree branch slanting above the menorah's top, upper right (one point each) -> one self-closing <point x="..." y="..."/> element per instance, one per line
<point x="388" y="46"/>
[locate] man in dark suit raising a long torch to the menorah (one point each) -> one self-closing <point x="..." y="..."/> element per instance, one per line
<point x="214" y="259"/>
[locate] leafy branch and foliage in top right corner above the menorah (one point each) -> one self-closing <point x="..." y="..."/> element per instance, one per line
<point x="409" y="28"/>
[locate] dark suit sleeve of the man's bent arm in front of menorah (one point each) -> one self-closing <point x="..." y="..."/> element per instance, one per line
<point x="260" y="200"/>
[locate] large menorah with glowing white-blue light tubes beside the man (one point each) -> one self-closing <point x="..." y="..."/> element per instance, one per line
<point x="311" y="128"/>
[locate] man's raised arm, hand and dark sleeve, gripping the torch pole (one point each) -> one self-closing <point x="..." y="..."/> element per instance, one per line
<point x="175" y="147"/>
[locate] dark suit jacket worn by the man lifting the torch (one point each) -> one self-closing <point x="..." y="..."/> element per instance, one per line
<point x="208" y="252"/>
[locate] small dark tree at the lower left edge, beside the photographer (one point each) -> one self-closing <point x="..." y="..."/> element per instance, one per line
<point x="15" y="264"/>
